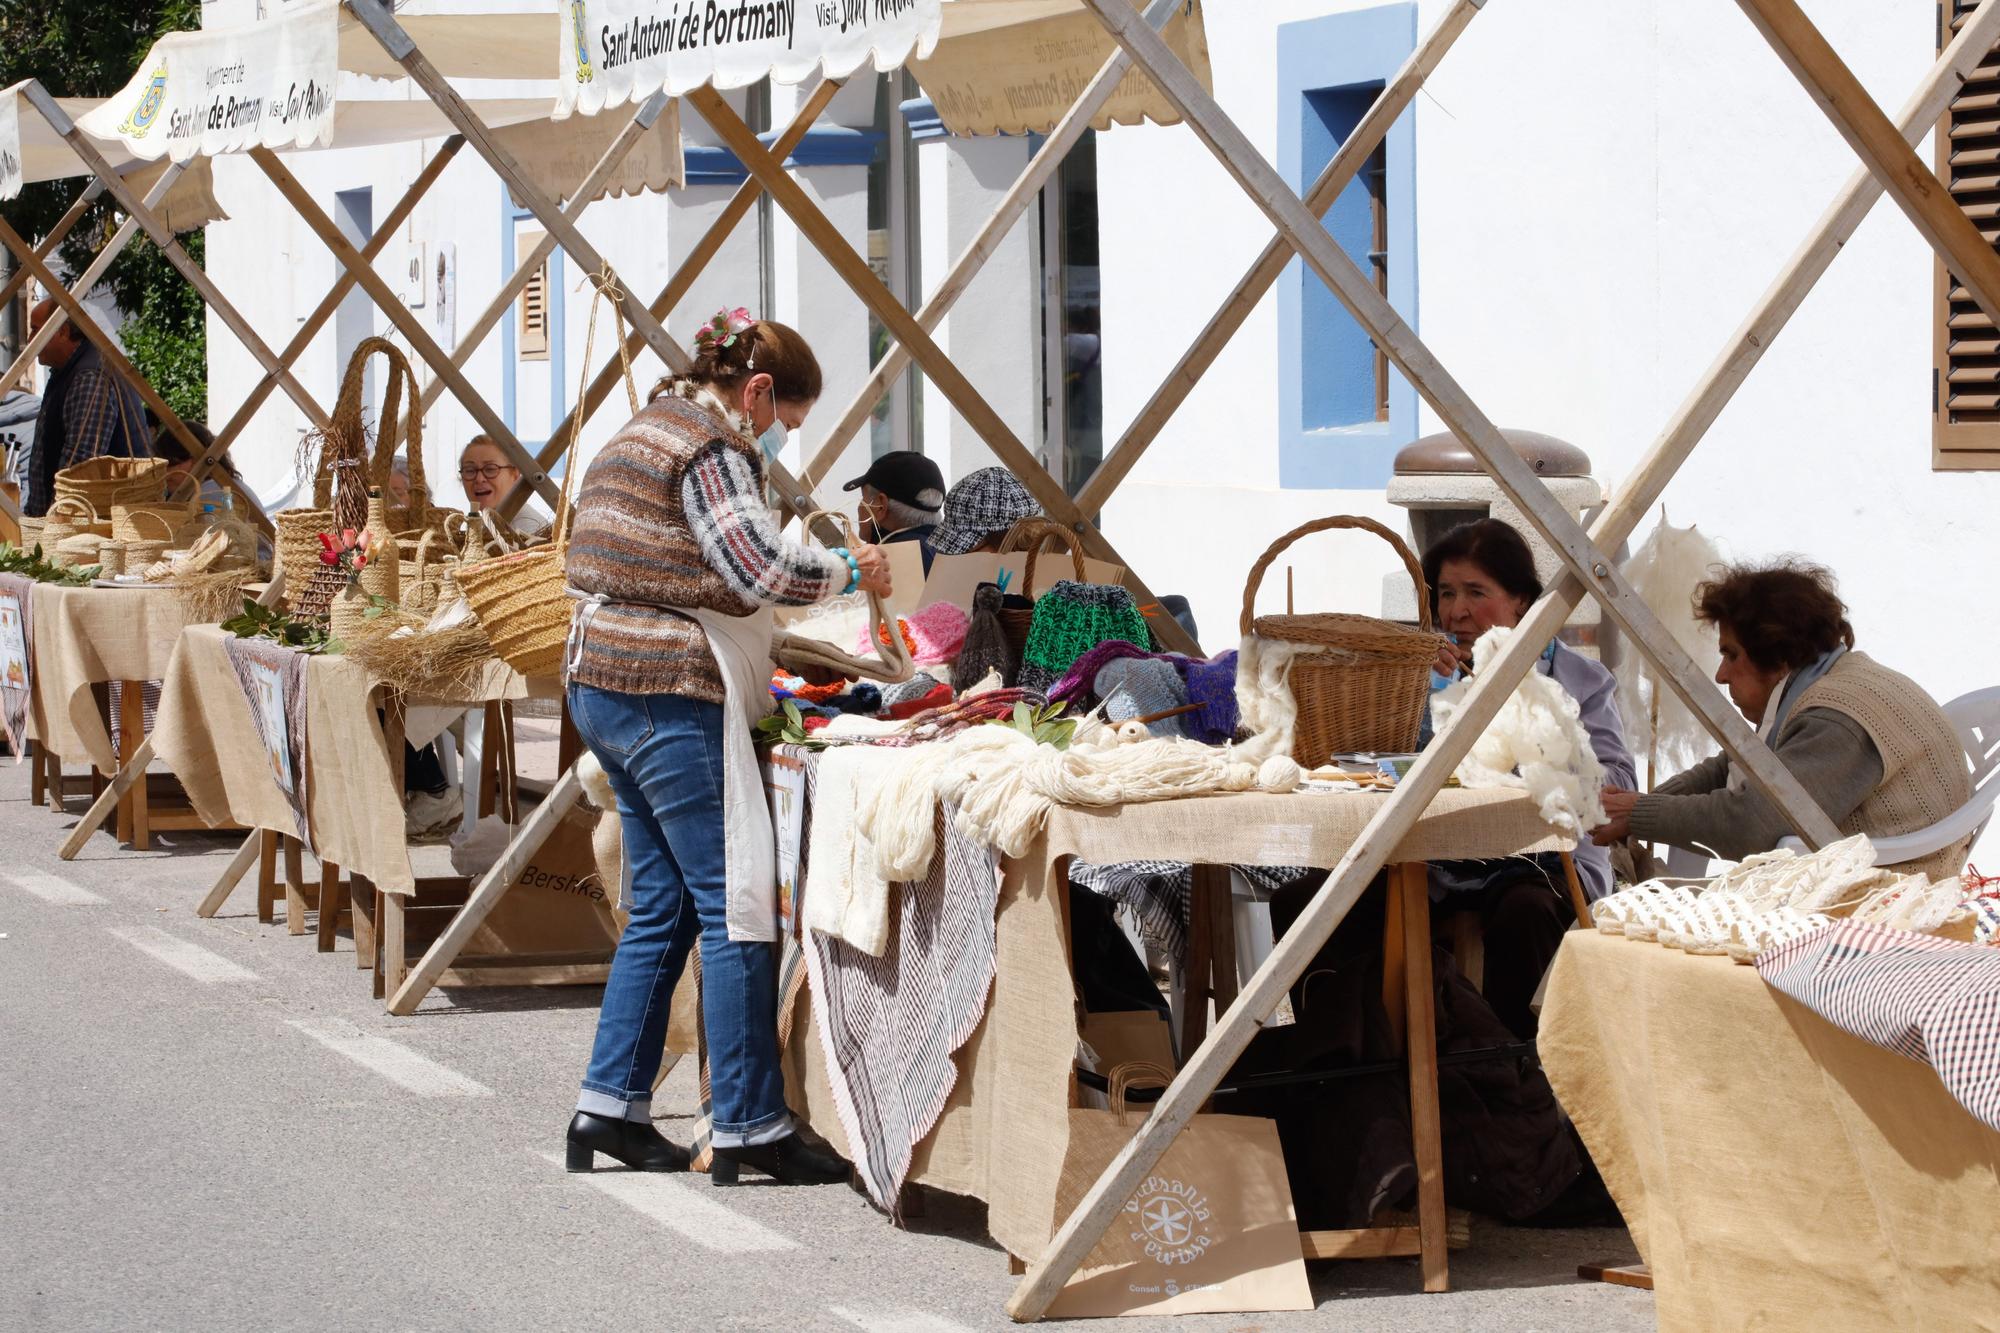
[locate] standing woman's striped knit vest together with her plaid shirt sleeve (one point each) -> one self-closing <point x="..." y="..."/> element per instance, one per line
<point x="673" y="515"/>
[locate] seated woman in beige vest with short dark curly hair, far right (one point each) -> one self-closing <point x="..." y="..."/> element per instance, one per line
<point x="1867" y="744"/>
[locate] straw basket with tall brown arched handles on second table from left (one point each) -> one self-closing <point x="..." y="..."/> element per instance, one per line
<point x="343" y="453"/>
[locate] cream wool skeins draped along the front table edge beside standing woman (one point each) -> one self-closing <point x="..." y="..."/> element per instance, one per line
<point x="1005" y="786"/>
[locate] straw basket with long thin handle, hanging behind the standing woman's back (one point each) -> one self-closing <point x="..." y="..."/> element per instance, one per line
<point x="521" y="597"/>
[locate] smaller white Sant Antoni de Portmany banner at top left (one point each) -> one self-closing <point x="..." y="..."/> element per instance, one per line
<point x="231" y="89"/>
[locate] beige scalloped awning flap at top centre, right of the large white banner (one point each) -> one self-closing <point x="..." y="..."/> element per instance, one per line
<point x="1015" y="67"/>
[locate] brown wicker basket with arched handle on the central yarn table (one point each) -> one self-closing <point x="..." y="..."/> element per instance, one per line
<point x="1361" y="682"/>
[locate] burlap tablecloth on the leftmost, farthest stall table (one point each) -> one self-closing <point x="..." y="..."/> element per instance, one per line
<point x="91" y="637"/>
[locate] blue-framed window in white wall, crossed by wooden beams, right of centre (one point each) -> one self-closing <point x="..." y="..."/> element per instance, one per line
<point x="1333" y="433"/>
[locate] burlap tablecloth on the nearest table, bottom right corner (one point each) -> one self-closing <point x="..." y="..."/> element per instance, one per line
<point x="1775" y="1170"/>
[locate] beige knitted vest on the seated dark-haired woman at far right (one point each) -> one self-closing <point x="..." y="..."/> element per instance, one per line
<point x="1923" y="760"/>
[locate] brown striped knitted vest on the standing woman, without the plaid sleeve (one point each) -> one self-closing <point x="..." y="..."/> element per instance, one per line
<point x="635" y="545"/>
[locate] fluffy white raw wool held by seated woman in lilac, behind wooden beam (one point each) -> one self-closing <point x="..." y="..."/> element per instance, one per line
<point x="1535" y="742"/>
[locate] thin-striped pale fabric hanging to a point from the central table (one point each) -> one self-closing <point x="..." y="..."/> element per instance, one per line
<point x="891" y="1026"/>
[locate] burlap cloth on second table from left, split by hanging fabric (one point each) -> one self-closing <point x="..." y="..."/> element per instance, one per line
<point x="207" y="738"/>
